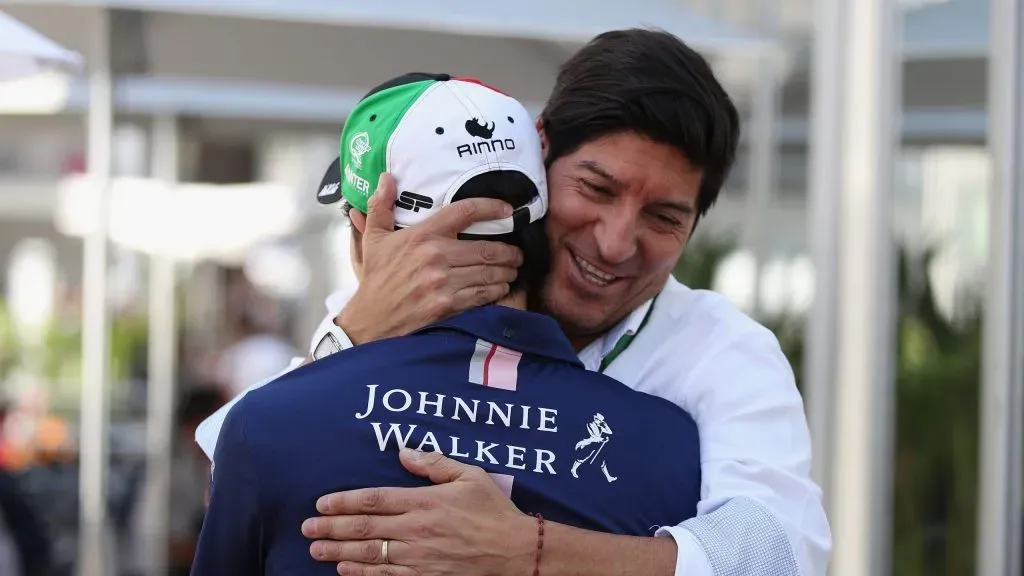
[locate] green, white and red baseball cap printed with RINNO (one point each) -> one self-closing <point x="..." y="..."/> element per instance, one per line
<point x="435" y="135"/>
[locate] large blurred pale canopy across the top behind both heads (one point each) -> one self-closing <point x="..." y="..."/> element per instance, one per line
<point x="312" y="60"/>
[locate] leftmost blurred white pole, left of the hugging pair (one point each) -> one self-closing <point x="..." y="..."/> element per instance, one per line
<point x="94" y="557"/>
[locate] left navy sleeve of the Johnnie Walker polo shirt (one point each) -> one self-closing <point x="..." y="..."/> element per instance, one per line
<point x="231" y="540"/>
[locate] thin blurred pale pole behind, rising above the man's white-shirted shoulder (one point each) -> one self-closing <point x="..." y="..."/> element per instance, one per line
<point x="764" y="147"/>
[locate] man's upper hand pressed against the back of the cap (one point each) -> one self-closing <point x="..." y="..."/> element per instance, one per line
<point x="423" y="274"/>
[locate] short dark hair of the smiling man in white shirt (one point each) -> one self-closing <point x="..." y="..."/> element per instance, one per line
<point x="650" y="83"/>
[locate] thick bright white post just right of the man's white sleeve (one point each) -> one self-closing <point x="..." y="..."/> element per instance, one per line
<point x="864" y="443"/>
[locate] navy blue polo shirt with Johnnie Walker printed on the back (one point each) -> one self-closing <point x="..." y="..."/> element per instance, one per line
<point x="496" y="388"/>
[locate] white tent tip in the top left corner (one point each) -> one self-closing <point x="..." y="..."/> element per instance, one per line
<point x="25" y="53"/>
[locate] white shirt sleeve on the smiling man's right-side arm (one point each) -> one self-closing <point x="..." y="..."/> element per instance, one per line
<point x="760" y="513"/>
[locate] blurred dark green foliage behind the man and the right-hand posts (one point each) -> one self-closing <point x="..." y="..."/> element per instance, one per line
<point x="937" y="416"/>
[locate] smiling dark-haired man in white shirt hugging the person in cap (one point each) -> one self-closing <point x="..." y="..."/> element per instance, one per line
<point x="638" y="138"/>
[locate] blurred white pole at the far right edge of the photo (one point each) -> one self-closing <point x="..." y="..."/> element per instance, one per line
<point x="1001" y="511"/>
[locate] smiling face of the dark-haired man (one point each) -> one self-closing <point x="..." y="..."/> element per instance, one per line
<point x="622" y="209"/>
